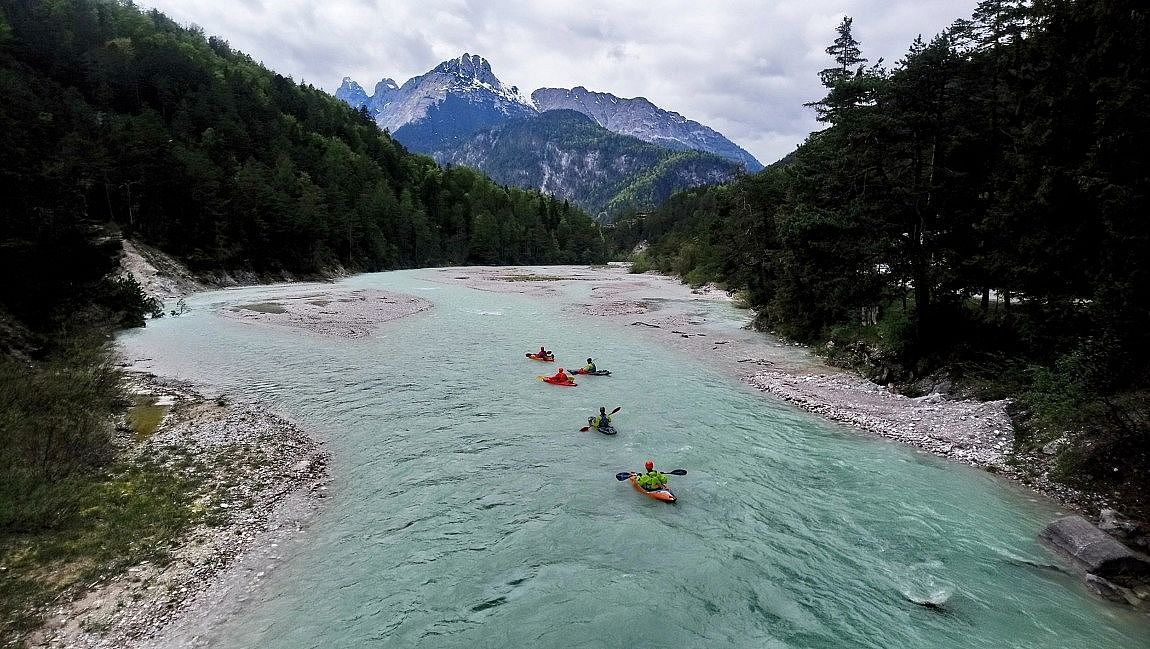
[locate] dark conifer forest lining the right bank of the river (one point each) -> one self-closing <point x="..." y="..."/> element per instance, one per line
<point x="972" y="217"/>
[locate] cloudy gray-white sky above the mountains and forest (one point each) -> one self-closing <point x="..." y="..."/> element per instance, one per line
<point x="742" y="67"/>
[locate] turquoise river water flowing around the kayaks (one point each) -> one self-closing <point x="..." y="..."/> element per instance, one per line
<point x="470" y="511"/>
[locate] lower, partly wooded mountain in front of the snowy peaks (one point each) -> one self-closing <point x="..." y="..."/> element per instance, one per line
<point x="569" y="155"/>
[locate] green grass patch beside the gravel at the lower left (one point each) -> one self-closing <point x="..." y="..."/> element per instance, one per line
<point x="106" y="522"/>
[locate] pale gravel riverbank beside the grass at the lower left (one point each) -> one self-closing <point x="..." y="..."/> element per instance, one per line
<point x="262" y="480"/>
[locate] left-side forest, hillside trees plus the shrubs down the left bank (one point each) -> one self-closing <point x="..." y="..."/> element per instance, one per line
<point x="120" y="124"/>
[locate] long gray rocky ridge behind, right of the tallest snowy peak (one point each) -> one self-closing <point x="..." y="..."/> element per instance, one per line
<point x="639" y="118"/>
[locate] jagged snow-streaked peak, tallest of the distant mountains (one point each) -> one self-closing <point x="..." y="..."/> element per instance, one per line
<point x="440" y="109"/>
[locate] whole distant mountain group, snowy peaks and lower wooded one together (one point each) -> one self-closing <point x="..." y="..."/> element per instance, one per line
<point x="596" y="150"/>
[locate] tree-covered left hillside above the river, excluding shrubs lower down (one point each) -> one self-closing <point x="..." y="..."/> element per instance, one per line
<point x="116" y="116"/>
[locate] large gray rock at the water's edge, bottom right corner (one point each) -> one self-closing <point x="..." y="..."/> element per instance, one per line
<point x="1097" y="553"/>
